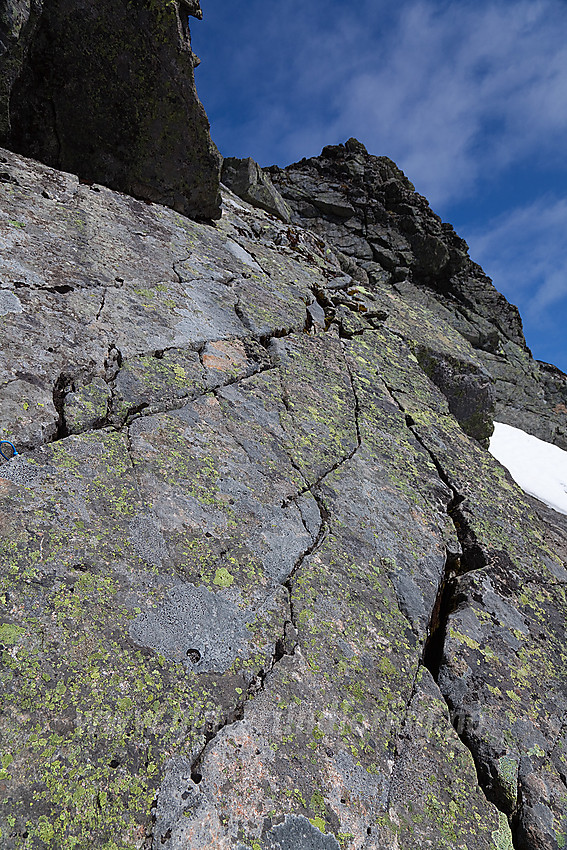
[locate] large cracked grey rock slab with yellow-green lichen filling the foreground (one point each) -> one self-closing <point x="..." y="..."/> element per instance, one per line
<point x="260" y="587"/>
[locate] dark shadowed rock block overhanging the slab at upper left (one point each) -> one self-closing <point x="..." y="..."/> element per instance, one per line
<point x="107" y="90"/>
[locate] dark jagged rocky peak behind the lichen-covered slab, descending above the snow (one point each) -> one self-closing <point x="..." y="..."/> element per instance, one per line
<point x="366" y="207"/>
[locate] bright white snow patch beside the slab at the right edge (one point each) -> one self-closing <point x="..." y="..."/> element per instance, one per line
<point x="538" y="467"/>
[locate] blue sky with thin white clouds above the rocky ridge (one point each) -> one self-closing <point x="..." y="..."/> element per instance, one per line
<point x="469" y="99"/>
